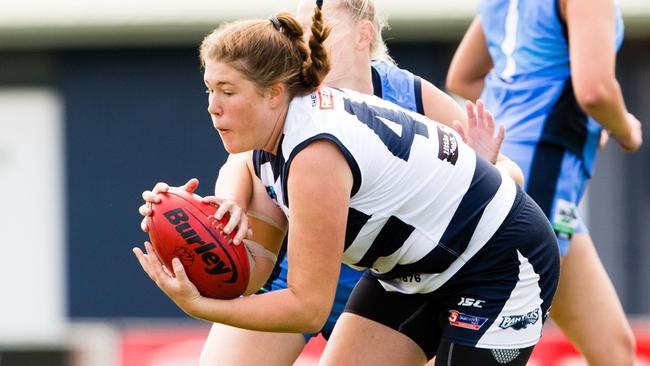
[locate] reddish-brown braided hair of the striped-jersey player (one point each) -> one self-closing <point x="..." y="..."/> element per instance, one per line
<point x="272" y="50"/>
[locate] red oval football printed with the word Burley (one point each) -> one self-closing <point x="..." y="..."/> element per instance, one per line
<point x="182" y="226"/>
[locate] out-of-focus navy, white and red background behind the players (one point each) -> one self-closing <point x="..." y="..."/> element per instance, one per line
<point x="100" y="100"/>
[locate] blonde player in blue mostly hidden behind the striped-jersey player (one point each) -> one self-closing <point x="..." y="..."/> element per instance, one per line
<point x="360" y="61"/>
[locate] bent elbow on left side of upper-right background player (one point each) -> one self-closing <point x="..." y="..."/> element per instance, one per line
<point x="470" y="64"/>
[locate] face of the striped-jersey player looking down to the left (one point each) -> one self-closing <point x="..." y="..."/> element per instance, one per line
<point x="237" y="108"/>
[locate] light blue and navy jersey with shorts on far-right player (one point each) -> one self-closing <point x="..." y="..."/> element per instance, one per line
<point x="529" y="90"/>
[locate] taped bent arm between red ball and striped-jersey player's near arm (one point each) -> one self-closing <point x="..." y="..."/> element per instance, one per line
<point x="237" y="182"/>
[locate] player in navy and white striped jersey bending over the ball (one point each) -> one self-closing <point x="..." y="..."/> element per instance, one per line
<point x="448" y="236"/>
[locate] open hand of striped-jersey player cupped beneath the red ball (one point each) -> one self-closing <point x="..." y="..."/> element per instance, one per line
<point x="176" y="285"/>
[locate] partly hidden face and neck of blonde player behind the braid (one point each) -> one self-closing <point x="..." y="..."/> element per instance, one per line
<point x="341" y="41"/>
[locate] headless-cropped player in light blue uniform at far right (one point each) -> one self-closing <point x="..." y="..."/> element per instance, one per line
<point x="546" y="69"/>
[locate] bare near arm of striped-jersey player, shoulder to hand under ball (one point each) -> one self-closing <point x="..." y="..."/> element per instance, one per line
<point x="316" y="234"/>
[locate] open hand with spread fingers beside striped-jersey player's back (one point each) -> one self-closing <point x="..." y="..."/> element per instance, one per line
<point x="480" y="134"/>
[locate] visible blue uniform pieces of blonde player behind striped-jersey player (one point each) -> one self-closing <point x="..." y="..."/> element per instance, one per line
<point x="404" y="89"/>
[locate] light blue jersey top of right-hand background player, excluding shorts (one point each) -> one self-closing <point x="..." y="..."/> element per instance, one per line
<point x="529" y="89"/>
